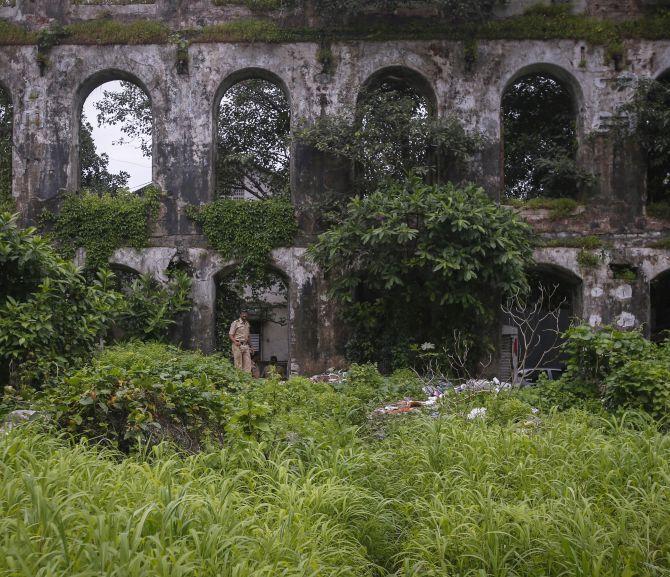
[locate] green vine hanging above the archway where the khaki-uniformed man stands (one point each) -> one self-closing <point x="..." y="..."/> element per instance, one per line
<point x="246" y="231"/>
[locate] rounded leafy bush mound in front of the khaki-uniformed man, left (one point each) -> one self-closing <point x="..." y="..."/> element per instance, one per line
<point x="145" y="393"/>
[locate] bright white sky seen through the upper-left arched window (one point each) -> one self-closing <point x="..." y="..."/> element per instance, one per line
<point x="126" y="156"/>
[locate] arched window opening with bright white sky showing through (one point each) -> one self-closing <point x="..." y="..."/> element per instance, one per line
<point x="115" y="137"/>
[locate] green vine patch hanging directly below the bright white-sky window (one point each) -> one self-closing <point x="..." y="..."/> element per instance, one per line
<point x="103" y="223"/>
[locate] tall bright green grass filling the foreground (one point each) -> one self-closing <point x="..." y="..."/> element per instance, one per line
<point x="571" y="494"/>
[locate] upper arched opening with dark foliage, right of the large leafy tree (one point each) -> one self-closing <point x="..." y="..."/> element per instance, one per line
<point x="539" y="131"/>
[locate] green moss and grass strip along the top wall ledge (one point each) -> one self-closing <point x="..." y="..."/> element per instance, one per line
<point x="544" y="23"/>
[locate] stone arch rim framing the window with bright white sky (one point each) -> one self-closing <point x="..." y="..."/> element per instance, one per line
<point x="82" y="93"/>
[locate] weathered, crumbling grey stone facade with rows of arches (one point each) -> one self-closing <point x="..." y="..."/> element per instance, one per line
<point x="48" y="102"/>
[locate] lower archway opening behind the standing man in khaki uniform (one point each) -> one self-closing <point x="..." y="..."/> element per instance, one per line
<point x="268" y="316"/>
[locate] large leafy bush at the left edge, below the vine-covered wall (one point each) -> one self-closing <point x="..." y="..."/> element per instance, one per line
<point x="50" y="315"/>
